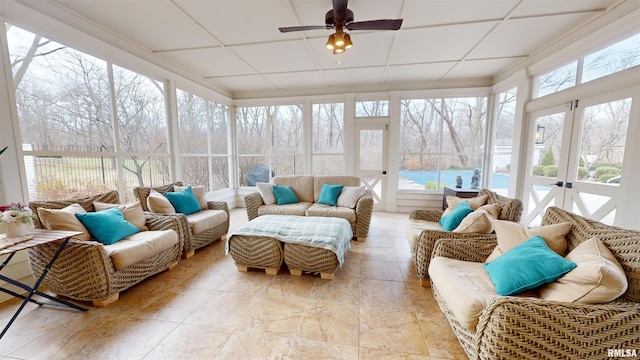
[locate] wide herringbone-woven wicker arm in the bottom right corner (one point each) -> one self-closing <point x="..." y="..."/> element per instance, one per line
<point x="517" y="327"/>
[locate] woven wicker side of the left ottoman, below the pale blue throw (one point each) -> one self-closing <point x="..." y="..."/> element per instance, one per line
<point x="256" y="251"/>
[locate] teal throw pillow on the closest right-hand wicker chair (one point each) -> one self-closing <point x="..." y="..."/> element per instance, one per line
<point x="527" y="266"/>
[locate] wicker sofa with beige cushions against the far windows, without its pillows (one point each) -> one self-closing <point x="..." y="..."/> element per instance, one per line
<point x="307" y="189"/>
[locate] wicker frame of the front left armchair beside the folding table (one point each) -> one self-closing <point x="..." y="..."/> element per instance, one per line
<point x="84" y="270"/>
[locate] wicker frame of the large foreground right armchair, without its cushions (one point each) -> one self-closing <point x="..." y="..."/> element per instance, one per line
<point x="513" y="327"/>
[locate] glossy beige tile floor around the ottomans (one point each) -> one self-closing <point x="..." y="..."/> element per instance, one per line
<point x="374" y="308"/>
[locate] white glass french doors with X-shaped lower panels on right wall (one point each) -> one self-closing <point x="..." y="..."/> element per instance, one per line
<point x="576" y="157"/>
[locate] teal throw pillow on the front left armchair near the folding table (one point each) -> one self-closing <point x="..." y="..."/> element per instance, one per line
<point x="107" y="226"/>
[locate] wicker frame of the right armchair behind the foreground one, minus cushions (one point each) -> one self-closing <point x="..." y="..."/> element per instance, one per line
<point x="510" y="210"/>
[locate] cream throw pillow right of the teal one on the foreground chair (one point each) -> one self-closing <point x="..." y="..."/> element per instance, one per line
<point x="598" y="278"/>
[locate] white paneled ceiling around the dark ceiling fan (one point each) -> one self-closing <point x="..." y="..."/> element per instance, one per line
<point x="235" y="45"/>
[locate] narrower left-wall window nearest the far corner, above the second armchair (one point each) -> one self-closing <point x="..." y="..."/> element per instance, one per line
<point x="203" y="125"/>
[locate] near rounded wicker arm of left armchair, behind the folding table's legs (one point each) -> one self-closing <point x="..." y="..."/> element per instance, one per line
<point x="83" y="269"/>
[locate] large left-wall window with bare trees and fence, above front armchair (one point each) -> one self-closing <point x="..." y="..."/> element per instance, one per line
<point x="68" y="128"/>
